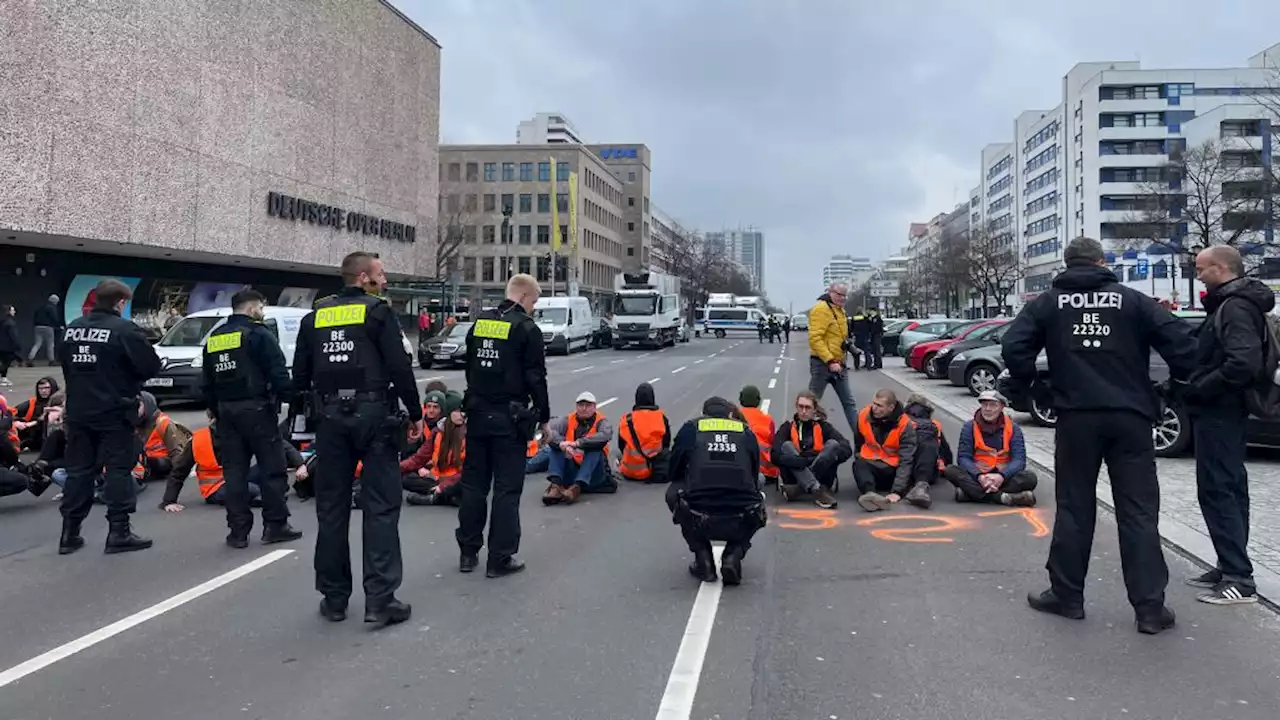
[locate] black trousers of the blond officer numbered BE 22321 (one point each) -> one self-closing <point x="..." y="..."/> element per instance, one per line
<point x="496" y="459"/>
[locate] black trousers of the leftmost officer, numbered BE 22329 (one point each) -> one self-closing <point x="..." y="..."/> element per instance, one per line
<point x="108" y="449"/>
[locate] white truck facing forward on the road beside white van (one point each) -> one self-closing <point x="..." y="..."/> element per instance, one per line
<point x="647" y="311"/>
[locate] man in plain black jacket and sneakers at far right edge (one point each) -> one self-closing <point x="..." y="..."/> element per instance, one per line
<point x="1229" y="359"/>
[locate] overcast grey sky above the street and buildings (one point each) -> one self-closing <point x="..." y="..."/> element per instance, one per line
<point x="830" y="125"/>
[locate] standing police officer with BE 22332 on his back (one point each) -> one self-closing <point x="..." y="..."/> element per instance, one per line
<point x="245" y="380"/>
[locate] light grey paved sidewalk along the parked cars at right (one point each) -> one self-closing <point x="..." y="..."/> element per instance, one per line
<point x="1181" y="521"/>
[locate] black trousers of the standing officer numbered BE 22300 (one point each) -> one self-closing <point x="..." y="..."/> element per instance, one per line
<point x="342" y="440"/>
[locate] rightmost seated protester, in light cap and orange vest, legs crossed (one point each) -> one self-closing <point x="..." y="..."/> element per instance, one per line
<point x="991" y="459"/>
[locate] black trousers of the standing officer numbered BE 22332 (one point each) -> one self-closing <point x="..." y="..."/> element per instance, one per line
<point x="249" y="429"/>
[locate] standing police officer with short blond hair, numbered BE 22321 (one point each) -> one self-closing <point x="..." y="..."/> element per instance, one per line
<point x="506" y="399"/>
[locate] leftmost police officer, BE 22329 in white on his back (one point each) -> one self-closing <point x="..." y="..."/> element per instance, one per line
<point x="106" y="359"/>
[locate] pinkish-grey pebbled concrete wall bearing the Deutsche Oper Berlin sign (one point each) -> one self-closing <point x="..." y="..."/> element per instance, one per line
<point x="159" y="129"/>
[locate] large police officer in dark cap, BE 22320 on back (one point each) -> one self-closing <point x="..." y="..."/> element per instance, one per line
<point x="1099" y="336"/>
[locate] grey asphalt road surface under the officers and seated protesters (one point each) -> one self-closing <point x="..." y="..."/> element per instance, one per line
<point x="842" y="616"/>
